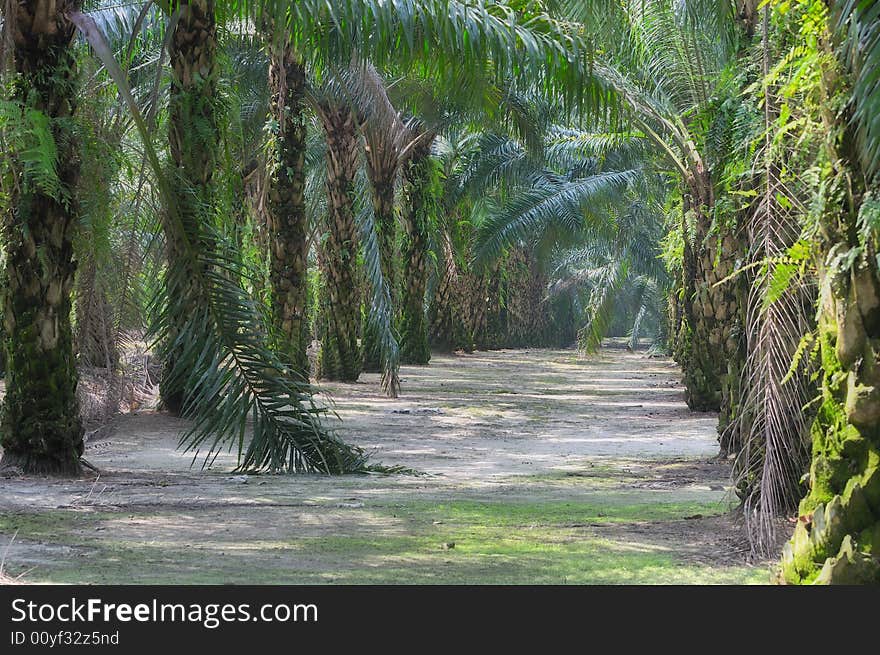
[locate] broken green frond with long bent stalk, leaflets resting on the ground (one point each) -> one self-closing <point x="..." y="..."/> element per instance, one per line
<point x="222" y="359"/>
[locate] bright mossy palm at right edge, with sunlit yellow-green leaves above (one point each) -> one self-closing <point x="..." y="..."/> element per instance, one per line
<point x="836" y="537"/>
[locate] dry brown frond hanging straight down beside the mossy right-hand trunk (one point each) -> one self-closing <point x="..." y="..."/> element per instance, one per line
<point x="771" y="424"/>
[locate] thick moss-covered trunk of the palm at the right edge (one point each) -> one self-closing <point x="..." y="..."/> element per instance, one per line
<point x="837" y="538"/>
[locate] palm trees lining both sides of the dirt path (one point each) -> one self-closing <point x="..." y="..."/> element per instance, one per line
<point x="384" y="179"/>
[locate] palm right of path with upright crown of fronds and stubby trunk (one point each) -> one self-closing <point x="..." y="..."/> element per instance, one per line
<point x="668" y="62"/>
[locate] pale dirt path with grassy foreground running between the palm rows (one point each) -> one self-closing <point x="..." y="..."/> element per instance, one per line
<point x="539" y="467"/>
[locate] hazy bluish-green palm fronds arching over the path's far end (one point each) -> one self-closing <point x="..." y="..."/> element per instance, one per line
<point x="588" y="205"/>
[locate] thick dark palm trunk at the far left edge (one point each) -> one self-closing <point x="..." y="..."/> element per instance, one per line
<point x="41" y="428"/>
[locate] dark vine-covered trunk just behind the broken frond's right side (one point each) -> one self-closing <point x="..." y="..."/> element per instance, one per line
<point x="285" y="211"/>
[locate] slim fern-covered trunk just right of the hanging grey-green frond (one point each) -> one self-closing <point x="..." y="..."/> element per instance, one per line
<point x="418" y="177"/>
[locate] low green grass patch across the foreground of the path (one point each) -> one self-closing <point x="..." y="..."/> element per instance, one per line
<point x="503" y="542"/>
